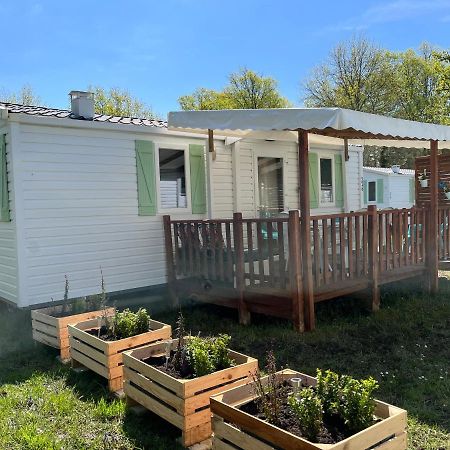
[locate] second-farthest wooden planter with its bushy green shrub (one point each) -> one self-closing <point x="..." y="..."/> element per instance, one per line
<point x="99" y="343"/>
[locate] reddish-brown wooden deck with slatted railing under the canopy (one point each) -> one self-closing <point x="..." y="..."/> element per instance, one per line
<point x="260" y="265"/>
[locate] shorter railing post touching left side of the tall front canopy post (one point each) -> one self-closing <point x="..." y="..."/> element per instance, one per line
<point x="295" y="271"/>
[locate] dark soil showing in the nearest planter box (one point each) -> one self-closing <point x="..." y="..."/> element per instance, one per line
<point x="332" y="432"/>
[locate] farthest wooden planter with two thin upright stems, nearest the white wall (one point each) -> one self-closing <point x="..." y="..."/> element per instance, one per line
<point x="49" y="325"/>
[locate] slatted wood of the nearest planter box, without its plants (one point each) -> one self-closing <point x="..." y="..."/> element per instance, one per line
<point x="235" y="429"/>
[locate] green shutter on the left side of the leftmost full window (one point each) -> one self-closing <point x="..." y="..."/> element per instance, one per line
<point x="146" y="178"/>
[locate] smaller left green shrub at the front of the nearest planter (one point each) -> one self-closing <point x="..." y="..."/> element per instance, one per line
<point x="308" y="410"/>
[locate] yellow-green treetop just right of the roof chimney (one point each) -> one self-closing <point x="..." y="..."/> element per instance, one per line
<point x="119" y="102"/>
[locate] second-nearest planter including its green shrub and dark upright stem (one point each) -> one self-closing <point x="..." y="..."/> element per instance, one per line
<point x="175" y="378"/>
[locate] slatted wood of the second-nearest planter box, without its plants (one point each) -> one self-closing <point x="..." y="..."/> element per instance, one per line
<point x="183" y="403"/>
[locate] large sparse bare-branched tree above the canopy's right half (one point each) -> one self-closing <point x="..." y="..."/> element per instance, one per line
<point x="357" y="76"/>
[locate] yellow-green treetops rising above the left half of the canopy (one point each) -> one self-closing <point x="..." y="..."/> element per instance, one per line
<point x="245" y="90"/>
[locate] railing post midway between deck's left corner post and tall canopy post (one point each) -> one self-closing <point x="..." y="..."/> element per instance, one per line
<point x="238" y="234"/>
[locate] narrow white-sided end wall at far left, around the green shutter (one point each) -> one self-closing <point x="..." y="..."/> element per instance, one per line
<point x="8" y="247"/>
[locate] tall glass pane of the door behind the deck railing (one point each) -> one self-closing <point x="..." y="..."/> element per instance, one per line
<point x="270" y="184"/>
